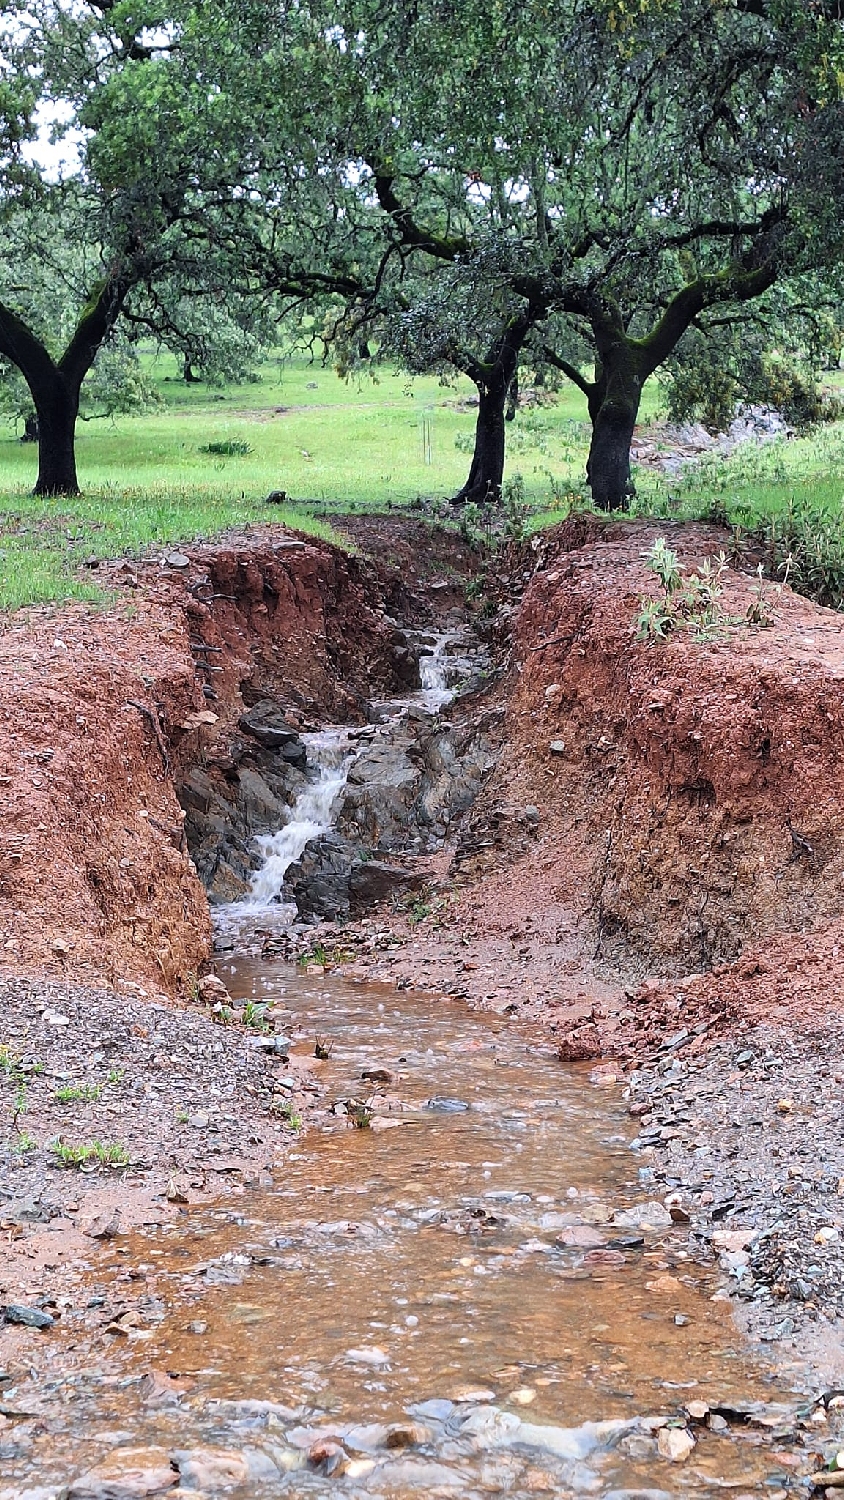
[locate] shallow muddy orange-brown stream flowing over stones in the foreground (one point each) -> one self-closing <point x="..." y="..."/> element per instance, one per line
<point x="412" y="1271"/>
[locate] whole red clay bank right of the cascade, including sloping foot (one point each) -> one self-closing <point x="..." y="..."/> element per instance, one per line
<point x="690" y="850"/>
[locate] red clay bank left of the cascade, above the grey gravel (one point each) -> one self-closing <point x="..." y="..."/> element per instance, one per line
<point x="100" y="715"/>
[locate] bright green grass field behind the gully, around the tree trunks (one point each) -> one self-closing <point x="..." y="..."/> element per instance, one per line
<point x="335" y="446"/>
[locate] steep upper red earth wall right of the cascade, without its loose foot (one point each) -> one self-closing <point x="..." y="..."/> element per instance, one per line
<point x="695" y="787"/>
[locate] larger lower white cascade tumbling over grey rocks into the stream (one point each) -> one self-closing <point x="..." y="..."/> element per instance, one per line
<point x="331" y="754"/>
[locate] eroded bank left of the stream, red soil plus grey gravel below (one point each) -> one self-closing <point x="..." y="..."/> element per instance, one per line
<point x="175" y="709"/>
